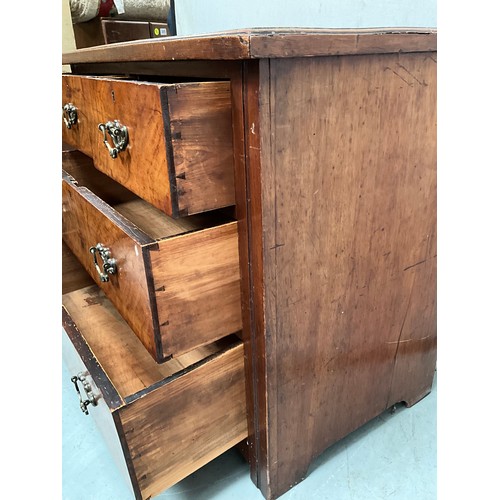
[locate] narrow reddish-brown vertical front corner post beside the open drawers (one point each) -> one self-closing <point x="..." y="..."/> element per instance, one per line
<point x="249" y="210"/>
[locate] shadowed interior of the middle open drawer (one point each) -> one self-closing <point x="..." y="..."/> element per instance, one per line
<point x="142" y="214"/>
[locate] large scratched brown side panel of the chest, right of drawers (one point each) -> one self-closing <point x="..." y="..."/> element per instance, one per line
<point x="344" y="271"/>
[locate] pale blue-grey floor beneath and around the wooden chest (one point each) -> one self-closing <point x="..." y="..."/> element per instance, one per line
<point x="391" y="457"/>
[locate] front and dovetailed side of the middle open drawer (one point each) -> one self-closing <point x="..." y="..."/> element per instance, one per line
<point x="176" y="293"/>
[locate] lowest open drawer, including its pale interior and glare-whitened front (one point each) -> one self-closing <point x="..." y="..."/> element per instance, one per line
<point x="161" y="422"/>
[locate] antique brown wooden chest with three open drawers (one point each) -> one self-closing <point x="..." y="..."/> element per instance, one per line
<point x="333" y="148"/>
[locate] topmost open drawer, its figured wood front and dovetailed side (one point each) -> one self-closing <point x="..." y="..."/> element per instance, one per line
<point x="178" y="154"/>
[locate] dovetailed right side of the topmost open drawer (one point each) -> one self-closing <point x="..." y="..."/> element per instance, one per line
<point x="201" y="134"/>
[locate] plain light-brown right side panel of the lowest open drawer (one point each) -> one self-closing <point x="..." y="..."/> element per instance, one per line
<point x="193" y="418"/>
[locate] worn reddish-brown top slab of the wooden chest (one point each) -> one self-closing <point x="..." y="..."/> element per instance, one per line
<point x="262" y="43"/>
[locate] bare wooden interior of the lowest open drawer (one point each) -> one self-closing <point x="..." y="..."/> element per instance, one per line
<point x="122" y="356"/>
